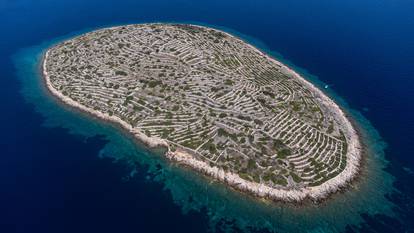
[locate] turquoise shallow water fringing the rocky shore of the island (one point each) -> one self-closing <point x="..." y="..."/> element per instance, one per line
<point x="225" y="208"/>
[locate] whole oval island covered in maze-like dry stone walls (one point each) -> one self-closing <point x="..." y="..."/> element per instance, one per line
<point x="215" y="103"/>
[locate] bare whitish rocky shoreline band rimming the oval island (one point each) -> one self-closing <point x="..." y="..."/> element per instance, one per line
<point x="288" y="195"/>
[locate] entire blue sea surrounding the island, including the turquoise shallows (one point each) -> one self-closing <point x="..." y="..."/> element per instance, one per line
<point x="63" y="171"/>
